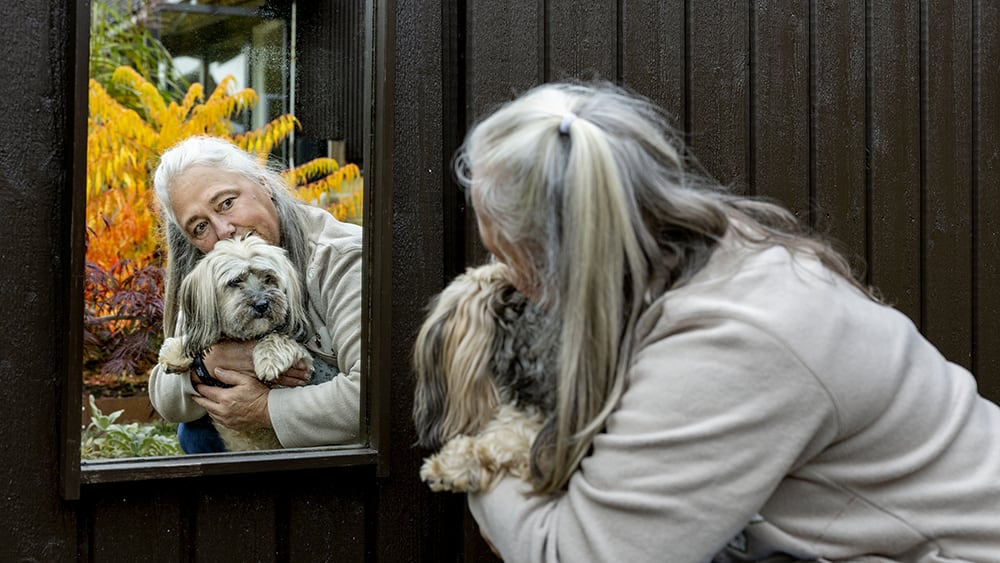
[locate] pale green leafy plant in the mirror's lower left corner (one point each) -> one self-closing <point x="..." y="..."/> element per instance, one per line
<point x="104" y="438"/>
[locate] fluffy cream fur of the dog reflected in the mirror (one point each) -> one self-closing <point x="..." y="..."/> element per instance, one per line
<point x="244" y="289"/>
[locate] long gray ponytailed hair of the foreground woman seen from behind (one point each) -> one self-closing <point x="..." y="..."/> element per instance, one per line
<point x="589" y="182"/>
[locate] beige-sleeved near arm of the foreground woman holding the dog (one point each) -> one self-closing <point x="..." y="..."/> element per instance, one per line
<point x="713" y="419"/>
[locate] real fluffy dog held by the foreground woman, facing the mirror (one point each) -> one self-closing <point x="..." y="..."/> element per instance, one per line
<point x="483" y="389"/>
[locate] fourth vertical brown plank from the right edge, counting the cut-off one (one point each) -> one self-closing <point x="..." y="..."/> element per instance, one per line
<point x="838" y="132"/>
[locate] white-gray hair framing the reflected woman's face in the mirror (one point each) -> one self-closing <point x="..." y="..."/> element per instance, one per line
<point x="224" y="155"/>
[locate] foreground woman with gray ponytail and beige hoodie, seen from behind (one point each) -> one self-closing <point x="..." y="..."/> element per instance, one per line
<point x="726" y="389"/>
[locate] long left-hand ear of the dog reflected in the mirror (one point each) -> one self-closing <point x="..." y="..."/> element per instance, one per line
<point x="200" y="307"/>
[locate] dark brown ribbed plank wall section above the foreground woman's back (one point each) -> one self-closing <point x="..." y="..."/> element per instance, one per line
<point x="876" y="122"/>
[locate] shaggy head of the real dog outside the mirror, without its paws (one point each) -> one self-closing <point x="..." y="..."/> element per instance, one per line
<point x="476" y="348"/>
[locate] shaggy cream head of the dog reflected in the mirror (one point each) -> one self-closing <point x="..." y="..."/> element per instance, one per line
<point x="241" y="290"/>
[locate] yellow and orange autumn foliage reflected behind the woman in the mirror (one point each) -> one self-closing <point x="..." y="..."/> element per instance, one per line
<point x="124" y="252"/>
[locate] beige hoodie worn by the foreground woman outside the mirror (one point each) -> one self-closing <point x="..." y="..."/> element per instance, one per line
<point x="773" y="412"/>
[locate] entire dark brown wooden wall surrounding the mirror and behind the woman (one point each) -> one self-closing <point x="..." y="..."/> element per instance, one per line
<point x="875" y="121"/>
